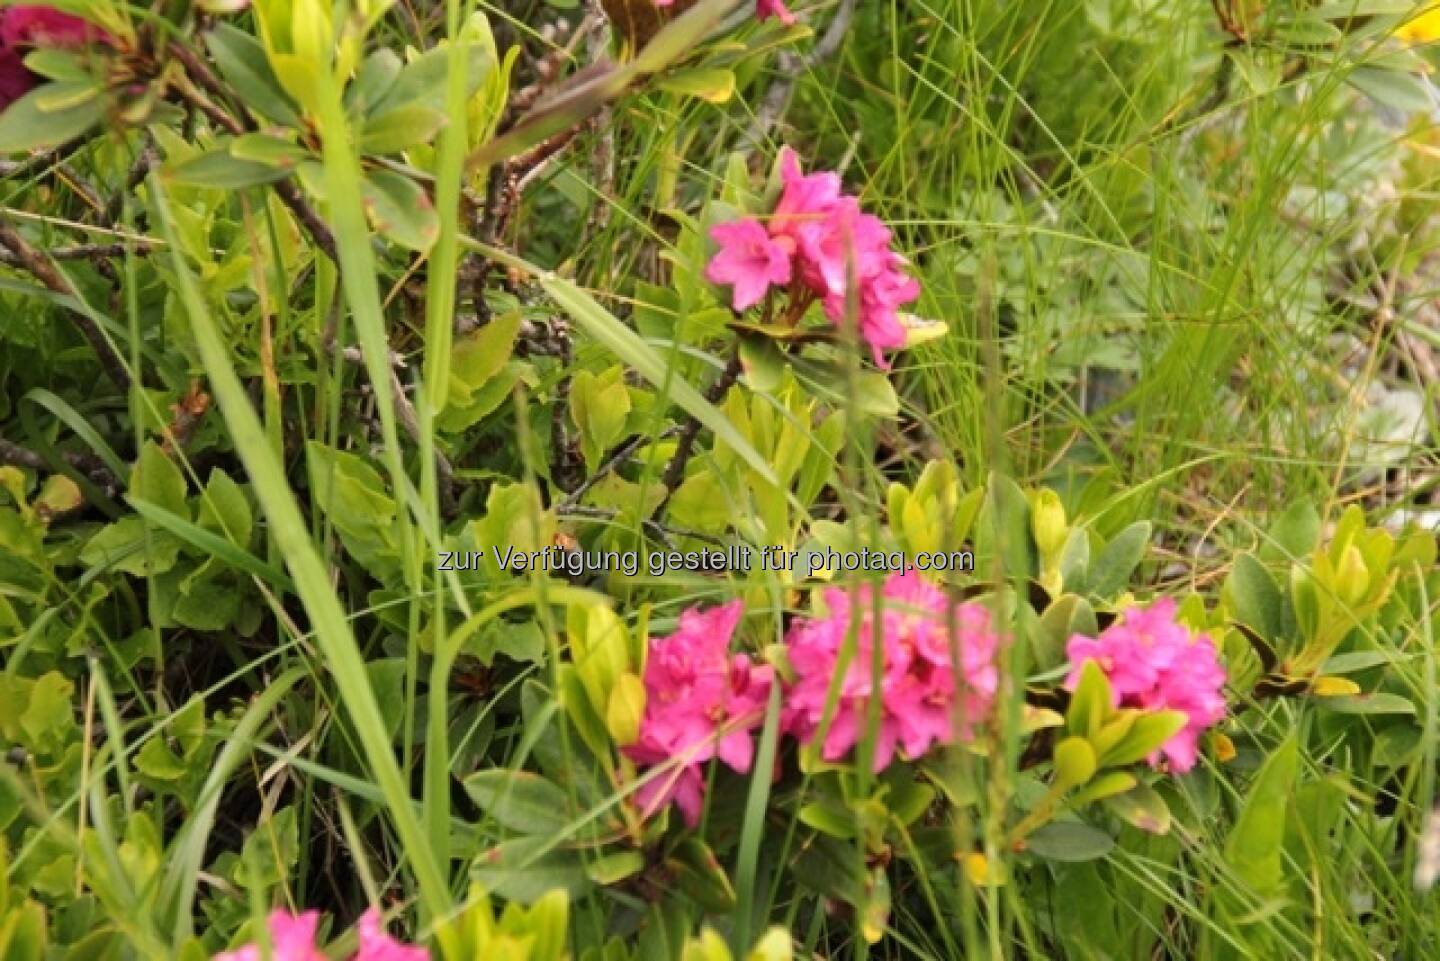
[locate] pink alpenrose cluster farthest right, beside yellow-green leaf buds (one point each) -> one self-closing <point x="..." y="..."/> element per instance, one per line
<point x="1156" y="663"/>
